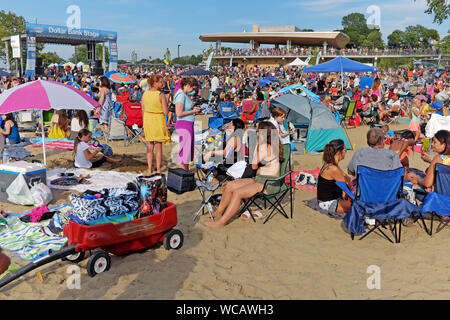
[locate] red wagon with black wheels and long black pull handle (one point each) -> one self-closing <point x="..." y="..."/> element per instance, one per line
<point x="120" y="239"/>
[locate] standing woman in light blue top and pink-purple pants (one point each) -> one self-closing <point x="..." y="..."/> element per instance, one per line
<point x="185" y="111"/>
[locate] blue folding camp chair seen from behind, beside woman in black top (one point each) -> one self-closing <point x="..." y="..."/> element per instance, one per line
<point x="368" y="191"/>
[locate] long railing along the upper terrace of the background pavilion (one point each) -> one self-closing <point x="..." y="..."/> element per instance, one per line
<point x="266" y="52"/>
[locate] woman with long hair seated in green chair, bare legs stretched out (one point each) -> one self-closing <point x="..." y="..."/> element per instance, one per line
<point x="266" y="161"/>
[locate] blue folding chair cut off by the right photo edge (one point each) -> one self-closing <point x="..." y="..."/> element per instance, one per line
<point x="437" y="203"/>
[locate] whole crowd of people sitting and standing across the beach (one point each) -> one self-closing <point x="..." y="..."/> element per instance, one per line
<point x="169" y="101"/>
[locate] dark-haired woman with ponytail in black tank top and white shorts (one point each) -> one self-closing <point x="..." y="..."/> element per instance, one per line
<point x="329" y="195"/>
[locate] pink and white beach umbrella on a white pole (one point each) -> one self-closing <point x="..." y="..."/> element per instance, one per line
<point x="45" y="95"/>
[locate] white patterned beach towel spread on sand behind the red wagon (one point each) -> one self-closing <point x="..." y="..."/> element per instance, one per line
<point x="99" y="180"/>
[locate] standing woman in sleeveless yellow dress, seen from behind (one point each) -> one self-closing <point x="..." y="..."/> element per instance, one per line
<point x="155" y="108"/>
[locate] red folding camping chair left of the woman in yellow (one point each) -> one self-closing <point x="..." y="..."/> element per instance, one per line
<point x="132" y="122"/>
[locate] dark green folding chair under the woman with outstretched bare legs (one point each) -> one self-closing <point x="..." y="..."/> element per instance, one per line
<point x="275" y="200"/>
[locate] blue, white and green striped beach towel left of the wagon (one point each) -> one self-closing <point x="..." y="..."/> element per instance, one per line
<point x="26" y="240"/>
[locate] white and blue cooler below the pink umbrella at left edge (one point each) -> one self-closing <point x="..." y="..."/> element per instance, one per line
<point x="34" y="173"/>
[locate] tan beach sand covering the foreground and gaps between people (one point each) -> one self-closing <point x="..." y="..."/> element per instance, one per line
<point x="308" y="257"/>
